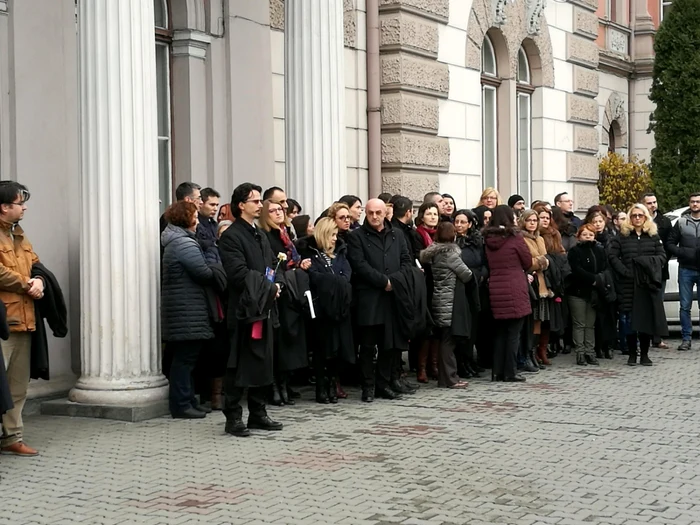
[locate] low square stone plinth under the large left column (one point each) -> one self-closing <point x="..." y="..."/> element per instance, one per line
<point x="132" y="414"/>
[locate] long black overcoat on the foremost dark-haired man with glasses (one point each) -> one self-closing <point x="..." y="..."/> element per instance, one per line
<point x="246" y="253"/>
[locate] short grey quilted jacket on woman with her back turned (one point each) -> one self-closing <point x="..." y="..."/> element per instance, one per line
<point x="445" y="260"/>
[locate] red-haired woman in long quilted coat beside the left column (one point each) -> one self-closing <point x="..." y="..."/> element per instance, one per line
<point x="186" y="319"/>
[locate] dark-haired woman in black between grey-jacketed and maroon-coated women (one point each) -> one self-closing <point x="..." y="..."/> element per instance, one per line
<point x="471" y="242"/>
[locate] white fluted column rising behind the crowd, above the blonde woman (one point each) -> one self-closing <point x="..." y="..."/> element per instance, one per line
<point x="315" y="103"/>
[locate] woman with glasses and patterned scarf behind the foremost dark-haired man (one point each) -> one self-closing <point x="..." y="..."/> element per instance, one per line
<point x="290" y="338"/>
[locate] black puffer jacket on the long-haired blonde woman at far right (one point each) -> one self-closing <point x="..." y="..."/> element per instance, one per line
<point x="623" y="250"/>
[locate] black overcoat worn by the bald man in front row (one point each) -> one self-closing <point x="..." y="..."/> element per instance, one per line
<point x="374" y="256"/>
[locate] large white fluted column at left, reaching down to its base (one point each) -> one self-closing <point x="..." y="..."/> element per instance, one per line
<point x="119" y="248"/>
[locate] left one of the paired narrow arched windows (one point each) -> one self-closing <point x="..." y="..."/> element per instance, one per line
<point x="489" y="114"/>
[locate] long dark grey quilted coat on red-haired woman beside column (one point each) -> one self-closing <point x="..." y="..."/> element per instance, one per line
<point x="184" y="311"/>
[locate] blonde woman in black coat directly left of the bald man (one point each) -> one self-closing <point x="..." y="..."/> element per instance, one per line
<point x="331" y="334"/>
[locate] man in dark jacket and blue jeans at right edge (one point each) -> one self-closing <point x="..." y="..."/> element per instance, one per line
<point x="684" y="244"/>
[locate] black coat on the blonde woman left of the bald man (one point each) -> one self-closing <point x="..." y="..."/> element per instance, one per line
<point x="331" y="331"/>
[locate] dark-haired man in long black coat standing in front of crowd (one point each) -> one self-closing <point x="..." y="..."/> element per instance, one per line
<point x="248" y="260"/>
